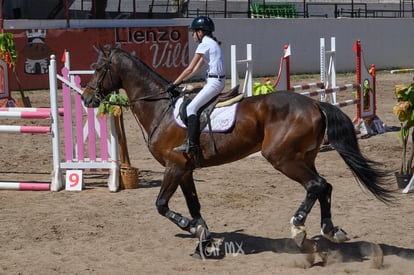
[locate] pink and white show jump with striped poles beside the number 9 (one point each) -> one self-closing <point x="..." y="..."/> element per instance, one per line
<point x="90" y="143"/>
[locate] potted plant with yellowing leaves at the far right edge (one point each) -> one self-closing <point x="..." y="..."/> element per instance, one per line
<point x="404" y="110"/>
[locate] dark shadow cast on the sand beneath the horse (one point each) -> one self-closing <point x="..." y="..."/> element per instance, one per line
<point x="317" y="248"/>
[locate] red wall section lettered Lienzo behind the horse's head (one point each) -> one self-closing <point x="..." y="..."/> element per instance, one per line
<point x="165" y="49"/>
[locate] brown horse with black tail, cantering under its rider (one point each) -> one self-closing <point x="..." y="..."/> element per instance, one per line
<point x="286" y="127"/>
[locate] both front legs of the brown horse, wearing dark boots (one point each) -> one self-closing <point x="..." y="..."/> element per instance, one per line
<point x="172" y="178"/>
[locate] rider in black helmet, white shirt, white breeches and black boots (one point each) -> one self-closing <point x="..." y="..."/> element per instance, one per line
<point x="208" y="51"/>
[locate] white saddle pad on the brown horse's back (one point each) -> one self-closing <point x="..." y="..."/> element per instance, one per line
<point x="222" y="119"/>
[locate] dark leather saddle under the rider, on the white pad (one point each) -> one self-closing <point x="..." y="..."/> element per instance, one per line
<point x="221" y="100"/>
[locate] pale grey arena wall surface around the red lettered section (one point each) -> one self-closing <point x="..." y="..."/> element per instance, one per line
<point x="386" y="42"/>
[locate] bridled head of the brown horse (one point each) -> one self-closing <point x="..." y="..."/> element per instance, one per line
<point x="103" y="81"/>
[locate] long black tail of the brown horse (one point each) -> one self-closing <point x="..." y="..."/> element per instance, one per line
<point x="341" y="134"/>
